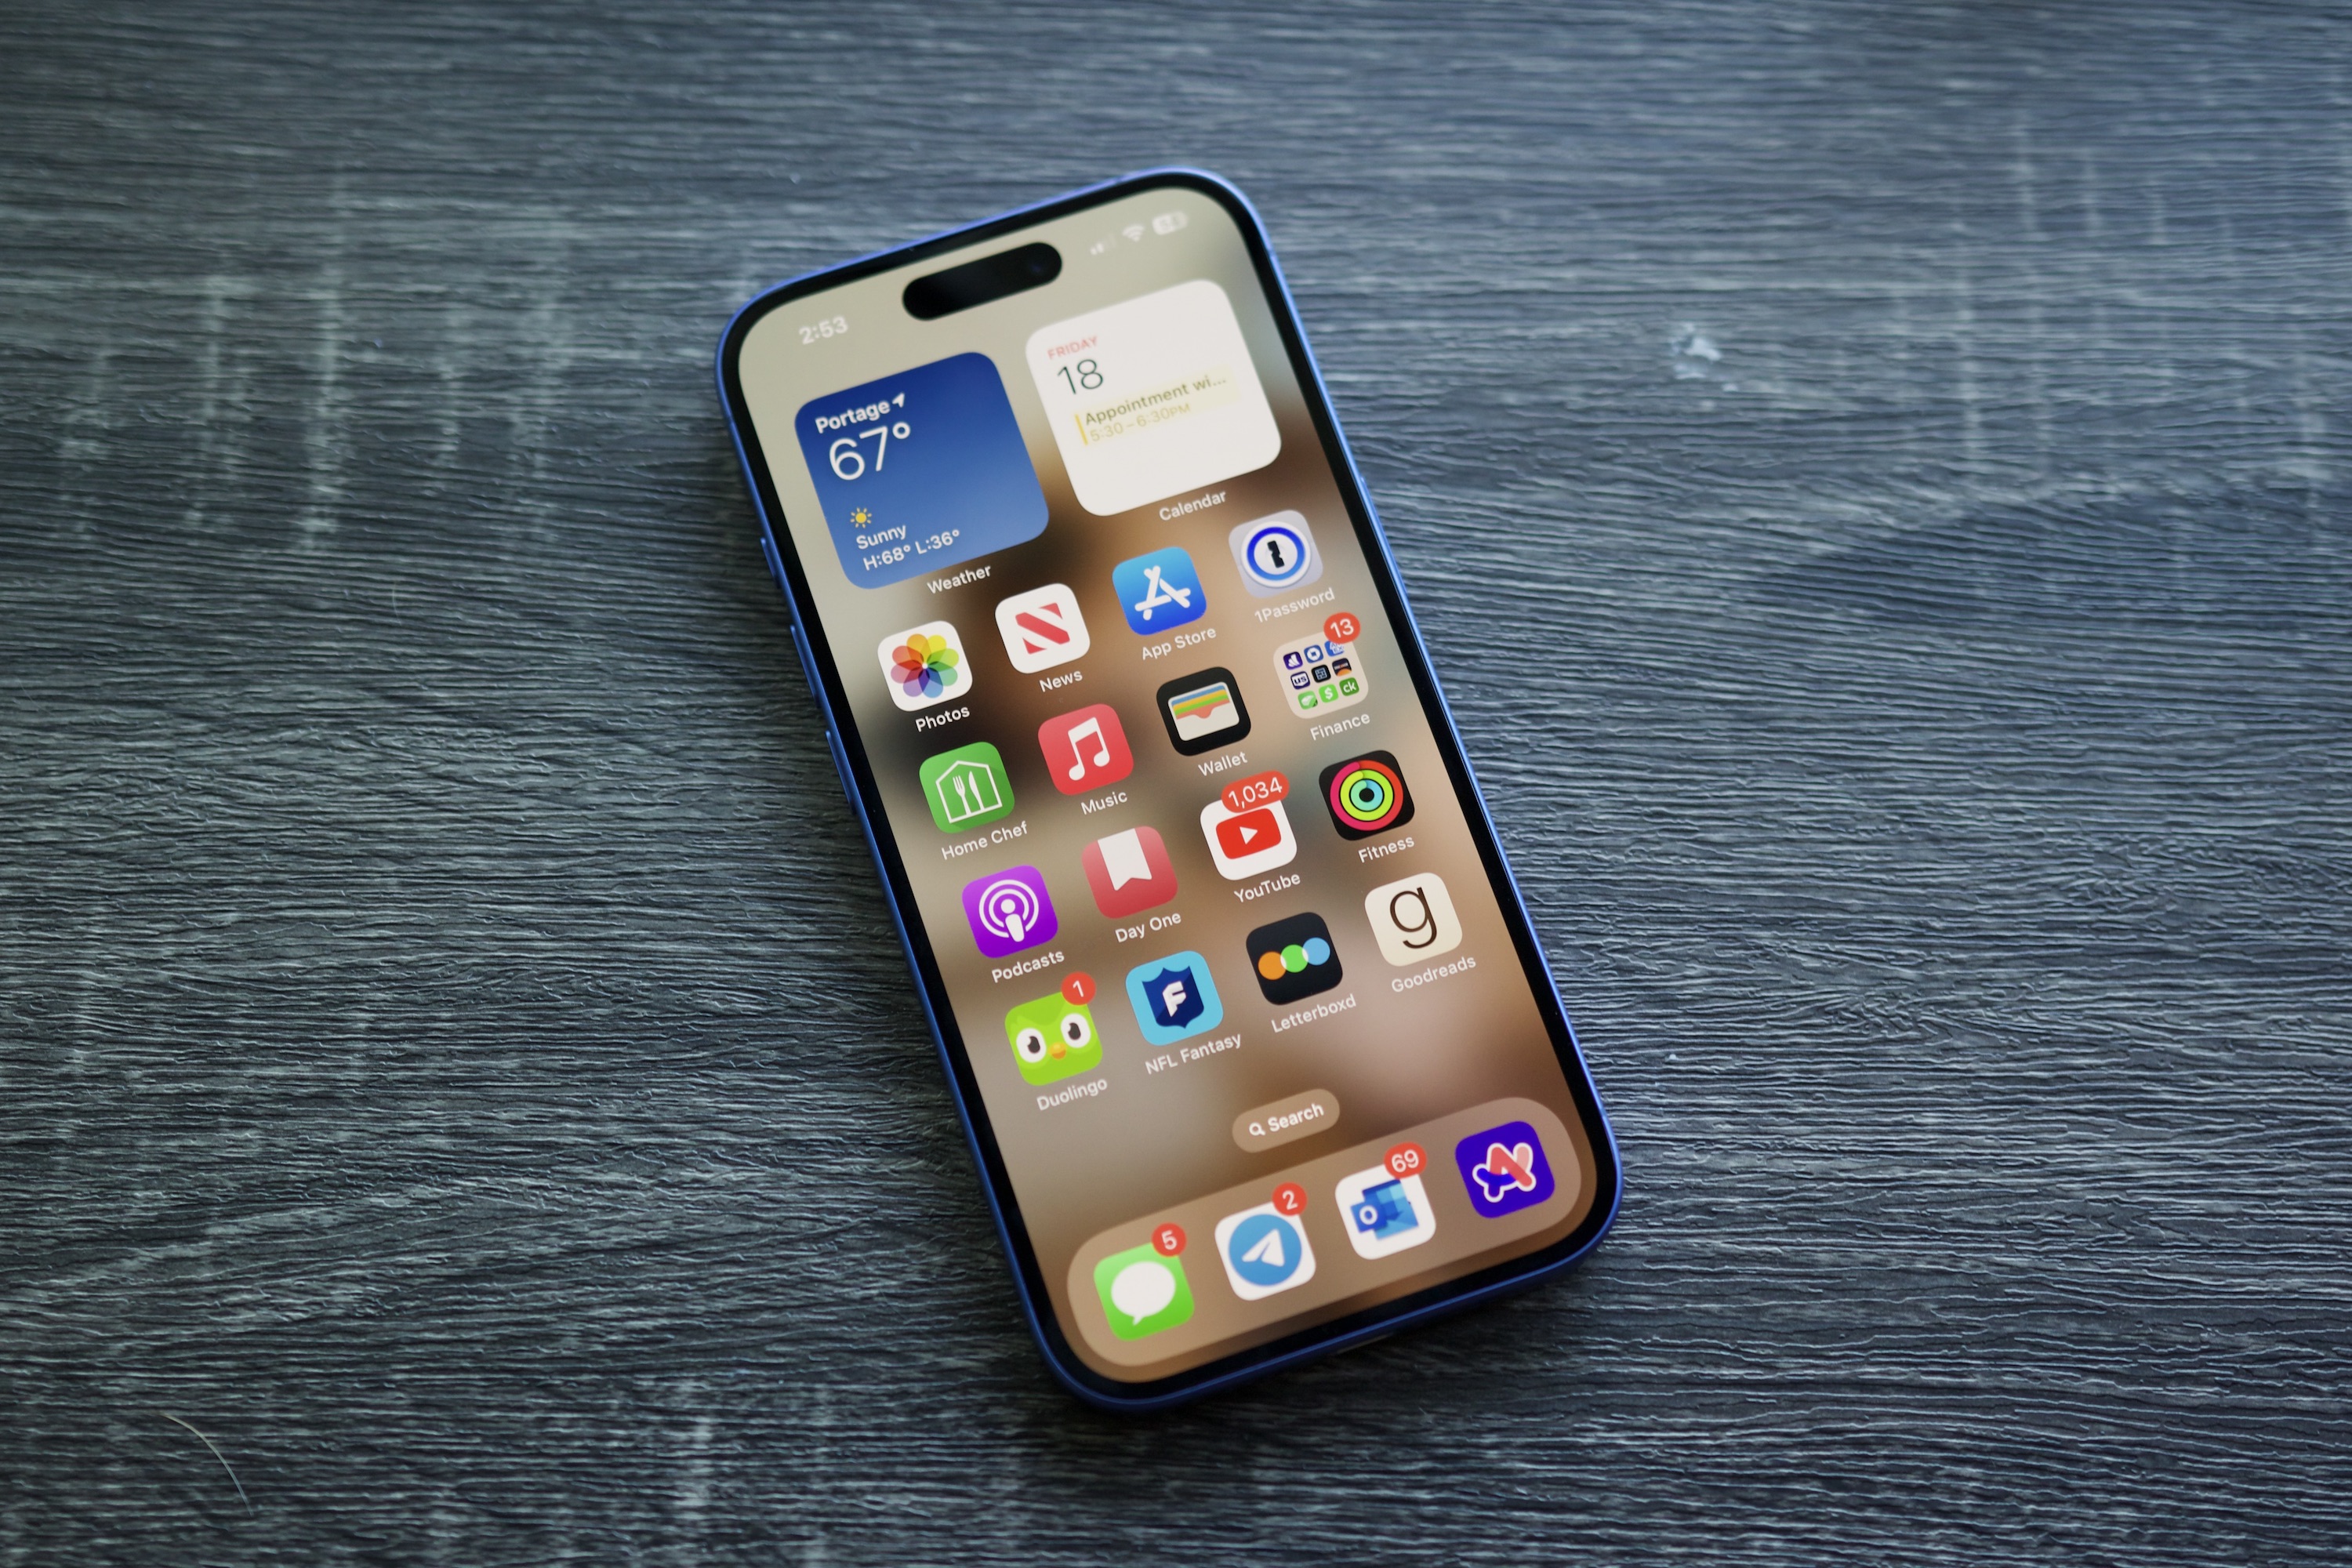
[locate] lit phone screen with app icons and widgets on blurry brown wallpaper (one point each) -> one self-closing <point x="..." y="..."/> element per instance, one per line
<point x="1187" y="866"/>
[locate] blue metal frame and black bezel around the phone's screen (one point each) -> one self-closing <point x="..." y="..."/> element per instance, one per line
<point x="857" y="782"/>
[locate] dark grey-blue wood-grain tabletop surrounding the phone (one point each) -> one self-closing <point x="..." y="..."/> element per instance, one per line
<point x="1876" y="485"/>
